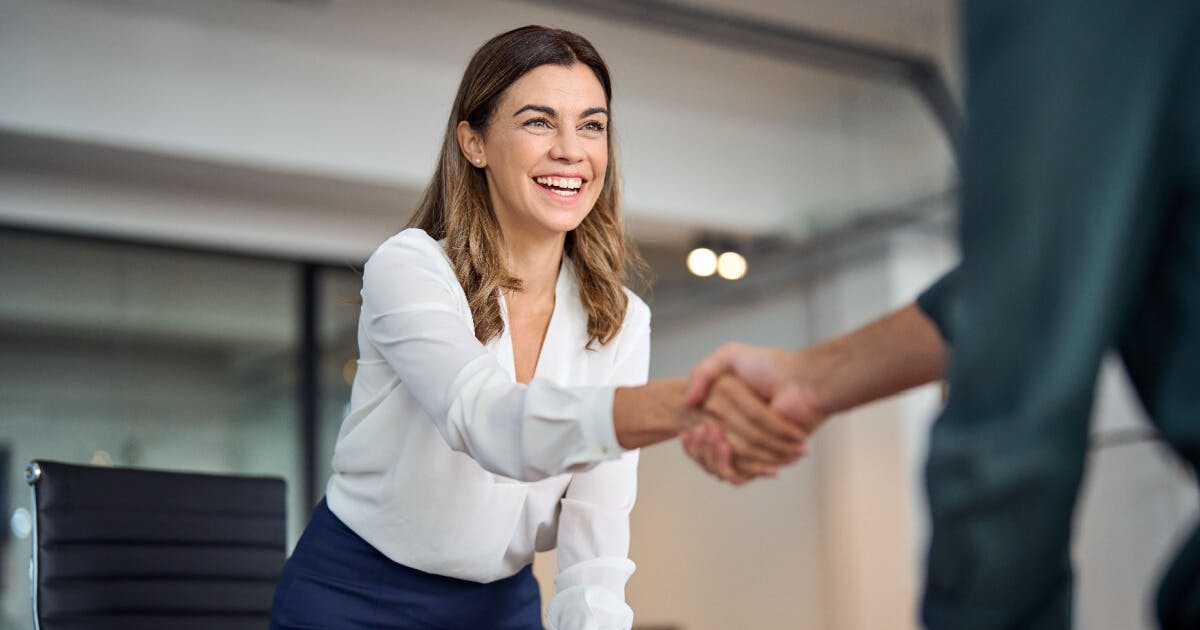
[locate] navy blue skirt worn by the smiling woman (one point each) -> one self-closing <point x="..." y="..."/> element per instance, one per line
<point x="335" y="580"/>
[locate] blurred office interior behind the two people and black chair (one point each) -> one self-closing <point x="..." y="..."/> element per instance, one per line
<point x="189" y="189"/>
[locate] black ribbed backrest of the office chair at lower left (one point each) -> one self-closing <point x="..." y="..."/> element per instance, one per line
<point x="140" y="550"/>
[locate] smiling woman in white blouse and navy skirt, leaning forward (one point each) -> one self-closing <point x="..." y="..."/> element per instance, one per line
<point x="493" y="338"/>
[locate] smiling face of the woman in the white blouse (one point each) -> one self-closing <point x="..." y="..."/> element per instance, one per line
<point x="545" y="151"/>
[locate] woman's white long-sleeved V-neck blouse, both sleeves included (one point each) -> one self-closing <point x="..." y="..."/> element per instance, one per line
<point x="449" y="466"/>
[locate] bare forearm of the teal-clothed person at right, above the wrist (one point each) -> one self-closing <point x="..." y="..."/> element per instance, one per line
<point x="898" y="352"/>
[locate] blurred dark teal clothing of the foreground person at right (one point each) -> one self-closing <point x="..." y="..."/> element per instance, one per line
<point x="1081" y="233"/>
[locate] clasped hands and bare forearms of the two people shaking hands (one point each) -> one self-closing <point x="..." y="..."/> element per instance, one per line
<point x="746" y="411"/>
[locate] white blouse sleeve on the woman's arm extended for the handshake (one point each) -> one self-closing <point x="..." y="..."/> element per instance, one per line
<point x="411" y="314"/>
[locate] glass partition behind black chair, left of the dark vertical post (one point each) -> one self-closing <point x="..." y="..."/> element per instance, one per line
<point x="135" y="356"/>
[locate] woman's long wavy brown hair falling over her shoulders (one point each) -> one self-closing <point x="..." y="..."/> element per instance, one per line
<point x="457" y="206"/>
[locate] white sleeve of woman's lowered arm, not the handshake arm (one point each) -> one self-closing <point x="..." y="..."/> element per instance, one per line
<point x="593" y="531"/>
